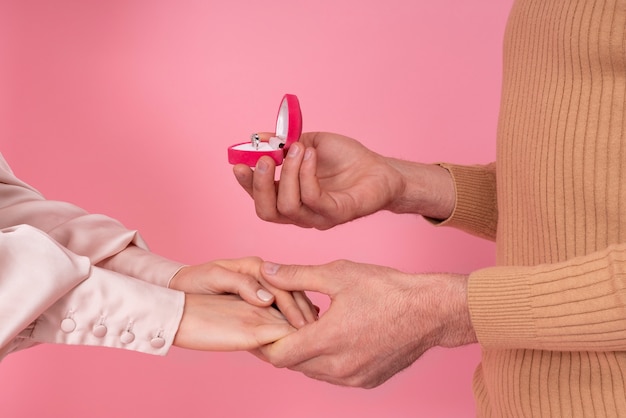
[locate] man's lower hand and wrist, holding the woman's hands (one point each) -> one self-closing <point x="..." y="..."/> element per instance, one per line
<point x="379" y="322"/>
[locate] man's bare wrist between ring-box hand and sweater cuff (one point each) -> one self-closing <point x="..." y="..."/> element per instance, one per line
<point x="428" y="190"/>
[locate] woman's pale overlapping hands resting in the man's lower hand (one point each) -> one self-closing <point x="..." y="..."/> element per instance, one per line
<point x="227" y="307"/>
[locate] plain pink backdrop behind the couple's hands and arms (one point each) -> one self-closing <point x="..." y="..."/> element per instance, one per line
<point x="126" y="107"/>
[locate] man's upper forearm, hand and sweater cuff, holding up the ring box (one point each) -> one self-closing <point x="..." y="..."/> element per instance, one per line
<point x="329" y="179"/>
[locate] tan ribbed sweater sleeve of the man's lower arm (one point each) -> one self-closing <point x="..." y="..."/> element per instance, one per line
<point x="575" y="305"/>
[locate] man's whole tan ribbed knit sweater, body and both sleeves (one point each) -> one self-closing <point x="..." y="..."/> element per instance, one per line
<point x="551" y="316"/>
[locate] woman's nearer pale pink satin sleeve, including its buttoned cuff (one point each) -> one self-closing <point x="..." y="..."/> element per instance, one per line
<point x="49" y="294"/>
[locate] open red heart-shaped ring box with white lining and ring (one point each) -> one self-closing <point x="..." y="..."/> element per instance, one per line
<point x="288" y="130"/>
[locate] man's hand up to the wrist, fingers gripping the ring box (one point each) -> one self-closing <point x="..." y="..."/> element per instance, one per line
<point x="326" y="180"/>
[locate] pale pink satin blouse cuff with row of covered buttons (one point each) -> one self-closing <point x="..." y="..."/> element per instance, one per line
<point x="111" y="310"/>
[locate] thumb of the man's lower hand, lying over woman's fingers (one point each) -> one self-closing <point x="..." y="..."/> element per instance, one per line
<point x="294" y="278"/>
